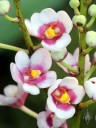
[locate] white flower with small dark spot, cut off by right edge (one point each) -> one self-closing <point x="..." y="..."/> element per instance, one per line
<point x="90" y="87"/>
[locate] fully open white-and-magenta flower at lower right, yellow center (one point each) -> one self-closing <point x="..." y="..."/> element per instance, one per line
<point x="62" y="95"/>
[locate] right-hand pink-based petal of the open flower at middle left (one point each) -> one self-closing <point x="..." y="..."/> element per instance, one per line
<point x="48" y="81"/>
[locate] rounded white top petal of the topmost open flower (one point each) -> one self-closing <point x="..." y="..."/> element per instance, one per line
<point x="48" y="15"/>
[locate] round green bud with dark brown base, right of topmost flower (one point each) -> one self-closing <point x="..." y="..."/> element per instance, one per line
<point x="79" y="20"/>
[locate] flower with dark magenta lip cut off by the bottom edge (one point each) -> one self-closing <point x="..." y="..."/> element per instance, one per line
<point x="48" y="119"/>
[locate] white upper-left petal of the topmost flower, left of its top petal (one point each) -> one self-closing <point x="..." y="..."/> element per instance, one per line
<point x="35" y="24"/>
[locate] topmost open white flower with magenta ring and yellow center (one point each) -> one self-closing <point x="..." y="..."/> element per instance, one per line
<point x="51" y="27"/>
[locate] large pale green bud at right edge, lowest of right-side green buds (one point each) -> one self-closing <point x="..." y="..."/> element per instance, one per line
<point x="91" y="39"/>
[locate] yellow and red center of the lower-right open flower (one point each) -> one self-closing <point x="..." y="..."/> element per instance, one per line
<point x="61" y="95"/>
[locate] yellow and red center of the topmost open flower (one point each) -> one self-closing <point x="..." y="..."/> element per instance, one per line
<point x="52" y="32"/>
